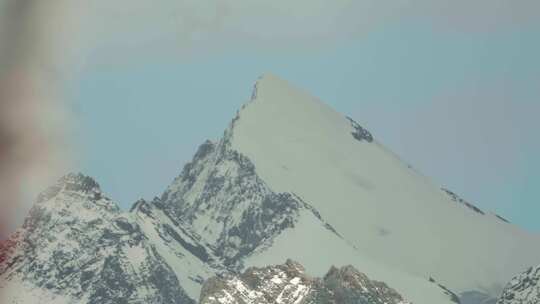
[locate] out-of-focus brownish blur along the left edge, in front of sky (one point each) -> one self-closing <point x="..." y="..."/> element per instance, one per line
<point x="31" y="119"/>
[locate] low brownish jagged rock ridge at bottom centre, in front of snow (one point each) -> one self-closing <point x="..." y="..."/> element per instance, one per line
<point x="289" y="284"/>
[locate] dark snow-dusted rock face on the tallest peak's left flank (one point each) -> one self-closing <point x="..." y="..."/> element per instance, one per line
<point x="220" y="196"/>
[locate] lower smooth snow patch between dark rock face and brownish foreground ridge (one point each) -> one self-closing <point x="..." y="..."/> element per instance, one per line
<point x="317" y="249"/>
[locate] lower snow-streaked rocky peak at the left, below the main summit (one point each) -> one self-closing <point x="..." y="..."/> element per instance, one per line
<point x="79" y="247"/>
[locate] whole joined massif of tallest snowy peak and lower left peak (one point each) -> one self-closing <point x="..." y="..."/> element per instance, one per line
<point x="290" y="178"/>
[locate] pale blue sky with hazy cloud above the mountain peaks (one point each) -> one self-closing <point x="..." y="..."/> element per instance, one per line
<point x="452" y="87"/>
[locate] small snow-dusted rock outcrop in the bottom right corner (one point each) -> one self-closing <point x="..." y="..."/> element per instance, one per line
<point x="523" y="289"/>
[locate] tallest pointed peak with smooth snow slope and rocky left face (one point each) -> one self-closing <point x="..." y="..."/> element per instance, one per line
<point x="291" y="177"/>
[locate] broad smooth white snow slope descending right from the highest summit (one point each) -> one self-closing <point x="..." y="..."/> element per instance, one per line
<point x="377" y="203"/>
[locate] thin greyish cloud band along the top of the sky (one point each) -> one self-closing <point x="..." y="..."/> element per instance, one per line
<point x="282" y="24"/>
